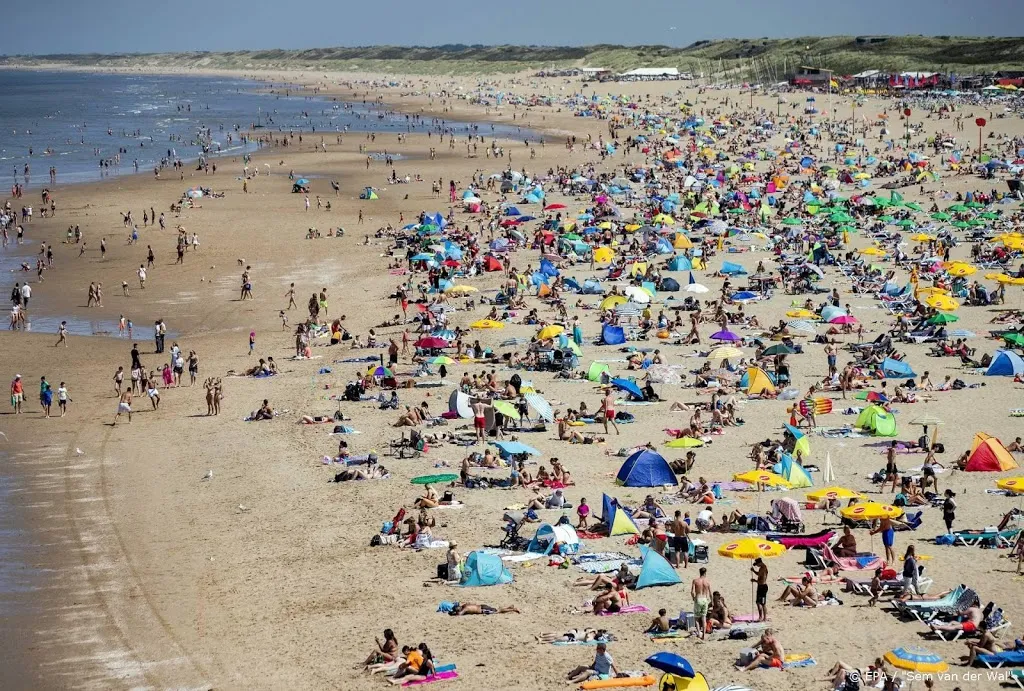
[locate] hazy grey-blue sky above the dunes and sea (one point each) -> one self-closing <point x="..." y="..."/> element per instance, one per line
<point x="131" y="26"/>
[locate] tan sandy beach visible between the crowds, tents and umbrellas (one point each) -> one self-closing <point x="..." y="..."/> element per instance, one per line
<point x="263" y="576"/>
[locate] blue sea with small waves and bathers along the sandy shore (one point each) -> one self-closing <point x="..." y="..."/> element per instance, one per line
<point x="73" y="121"/>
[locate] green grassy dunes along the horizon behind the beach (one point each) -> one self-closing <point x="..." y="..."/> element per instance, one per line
<point x="747" y="59"/>
